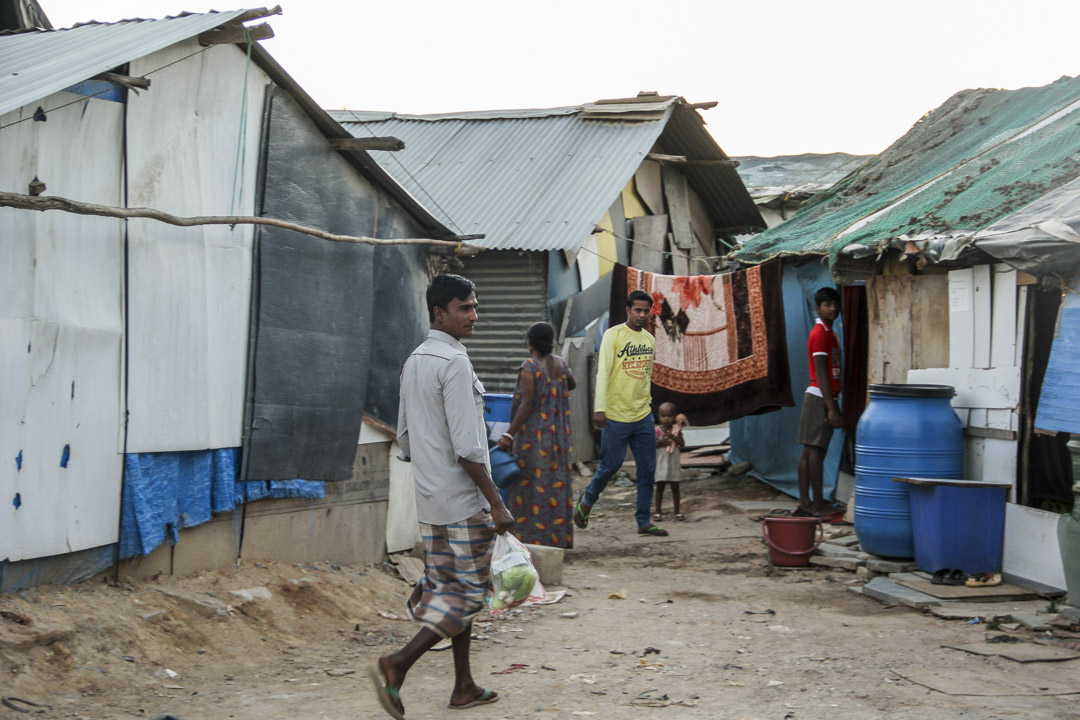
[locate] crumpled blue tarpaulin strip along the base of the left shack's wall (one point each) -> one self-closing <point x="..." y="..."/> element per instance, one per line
<point x="166" y="493"/>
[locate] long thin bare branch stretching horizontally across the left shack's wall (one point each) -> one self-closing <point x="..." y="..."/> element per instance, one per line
<point x="53" y="203"/>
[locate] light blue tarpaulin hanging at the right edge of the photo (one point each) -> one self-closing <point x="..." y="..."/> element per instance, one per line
<point x="1061" y="387"/>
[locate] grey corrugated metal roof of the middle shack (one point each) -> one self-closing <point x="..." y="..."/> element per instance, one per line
<point x="542" y="180"/>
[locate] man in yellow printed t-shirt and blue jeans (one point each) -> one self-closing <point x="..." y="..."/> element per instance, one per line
<point x="623" y="410"/>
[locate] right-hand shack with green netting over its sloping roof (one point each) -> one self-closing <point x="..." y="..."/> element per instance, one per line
<point x="929" y="297"/>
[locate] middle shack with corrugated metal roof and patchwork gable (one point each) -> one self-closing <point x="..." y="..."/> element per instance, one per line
<point x="561" y="195"/>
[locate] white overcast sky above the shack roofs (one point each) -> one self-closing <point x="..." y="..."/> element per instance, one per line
<point x="790" y="77"/>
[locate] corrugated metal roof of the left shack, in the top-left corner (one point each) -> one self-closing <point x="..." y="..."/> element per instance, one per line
<point x="37" y="64"/>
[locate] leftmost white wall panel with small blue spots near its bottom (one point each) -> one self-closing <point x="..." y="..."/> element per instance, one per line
<point x="61" y="328"/>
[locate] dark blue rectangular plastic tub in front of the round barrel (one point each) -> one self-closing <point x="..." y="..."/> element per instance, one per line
<point x="957" y="525"/>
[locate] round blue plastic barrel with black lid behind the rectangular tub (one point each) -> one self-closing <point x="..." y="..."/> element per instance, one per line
<point x="907" y="431"/>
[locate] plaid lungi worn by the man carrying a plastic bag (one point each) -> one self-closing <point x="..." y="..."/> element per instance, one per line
<point x="457" y="575"/>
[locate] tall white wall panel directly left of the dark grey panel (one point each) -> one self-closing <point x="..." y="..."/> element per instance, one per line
<point x="191" y="288"/>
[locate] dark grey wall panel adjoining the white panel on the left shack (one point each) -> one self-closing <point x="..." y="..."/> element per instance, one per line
<point x="312" y="324"/>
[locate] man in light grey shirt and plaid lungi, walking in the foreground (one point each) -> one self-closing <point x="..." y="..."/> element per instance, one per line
<point x="441" y="430"/>
